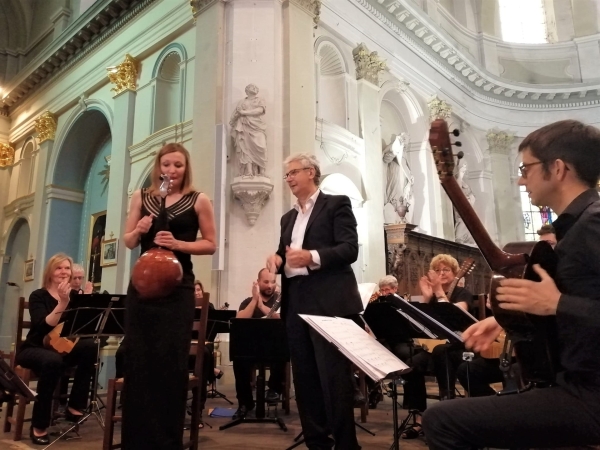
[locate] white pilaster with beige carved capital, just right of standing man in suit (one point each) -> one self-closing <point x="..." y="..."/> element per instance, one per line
<point x="368" y="67"/>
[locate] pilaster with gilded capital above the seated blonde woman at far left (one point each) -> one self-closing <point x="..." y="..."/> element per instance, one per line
<point x="45" y="126"/>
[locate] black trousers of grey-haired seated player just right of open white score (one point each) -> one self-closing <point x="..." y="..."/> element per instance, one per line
<point x="415" y="393"/>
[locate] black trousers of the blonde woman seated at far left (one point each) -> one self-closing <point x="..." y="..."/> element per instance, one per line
<point x="49" y="367"/>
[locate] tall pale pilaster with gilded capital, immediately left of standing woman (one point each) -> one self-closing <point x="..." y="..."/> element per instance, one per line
<point x="123" y="76"/>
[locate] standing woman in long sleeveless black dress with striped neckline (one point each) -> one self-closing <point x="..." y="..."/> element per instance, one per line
<point x="159" y="331"/>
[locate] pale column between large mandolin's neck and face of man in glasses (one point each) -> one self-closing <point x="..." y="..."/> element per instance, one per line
<point x="500" y="143"/>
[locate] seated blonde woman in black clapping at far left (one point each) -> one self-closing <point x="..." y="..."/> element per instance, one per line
<point x="46" y="306"/>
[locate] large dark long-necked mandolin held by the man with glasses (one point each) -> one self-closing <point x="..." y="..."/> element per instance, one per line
<point x="533" y="337"/>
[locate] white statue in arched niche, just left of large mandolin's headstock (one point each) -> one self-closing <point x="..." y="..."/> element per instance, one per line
<point x="399" y="181"/>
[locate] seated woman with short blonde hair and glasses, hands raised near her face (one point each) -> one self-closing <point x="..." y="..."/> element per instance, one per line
<point x="434" y="288"/>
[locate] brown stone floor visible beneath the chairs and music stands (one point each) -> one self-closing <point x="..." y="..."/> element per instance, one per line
<point x="244" y="436"/>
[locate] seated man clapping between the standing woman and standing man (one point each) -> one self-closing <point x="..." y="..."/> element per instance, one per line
<point x="261" y="304"/>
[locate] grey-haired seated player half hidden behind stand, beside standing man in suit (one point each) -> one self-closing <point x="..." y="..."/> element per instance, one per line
<point x="415" y="393"/>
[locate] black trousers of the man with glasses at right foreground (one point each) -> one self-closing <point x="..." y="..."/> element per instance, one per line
<point x="550" y="417"/>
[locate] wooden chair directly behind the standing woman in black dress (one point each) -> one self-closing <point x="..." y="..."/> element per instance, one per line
<point x="195" y="384"/>
